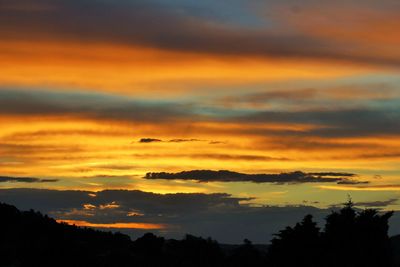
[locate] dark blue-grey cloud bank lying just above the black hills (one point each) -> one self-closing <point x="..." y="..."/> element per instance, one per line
<point x="221" y="216"/>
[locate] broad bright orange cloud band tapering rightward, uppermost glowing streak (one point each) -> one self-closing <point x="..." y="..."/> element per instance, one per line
<point x="148" y="71"/>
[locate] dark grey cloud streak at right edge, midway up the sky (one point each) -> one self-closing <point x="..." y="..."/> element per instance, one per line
<point x="331" y="123"/>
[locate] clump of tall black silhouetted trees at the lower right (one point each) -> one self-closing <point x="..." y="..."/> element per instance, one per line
<point x="349" y="239"/>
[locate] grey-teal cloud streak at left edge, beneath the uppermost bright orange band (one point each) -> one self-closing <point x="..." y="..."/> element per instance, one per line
<point x="92" y="105"/>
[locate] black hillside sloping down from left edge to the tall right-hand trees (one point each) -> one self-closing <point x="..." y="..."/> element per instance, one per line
<point x="29" y="238"/>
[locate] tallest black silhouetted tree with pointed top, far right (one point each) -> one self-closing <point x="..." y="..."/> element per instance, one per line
<point x="357" y="238"/>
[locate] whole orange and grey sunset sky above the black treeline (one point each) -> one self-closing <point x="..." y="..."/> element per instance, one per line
<point x="230" y="119"/>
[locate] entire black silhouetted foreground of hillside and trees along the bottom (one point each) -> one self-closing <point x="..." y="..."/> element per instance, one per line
<point x="349" y="238"/>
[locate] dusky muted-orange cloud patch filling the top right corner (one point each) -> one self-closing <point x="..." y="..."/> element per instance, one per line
<point x="358" y="30"/>
